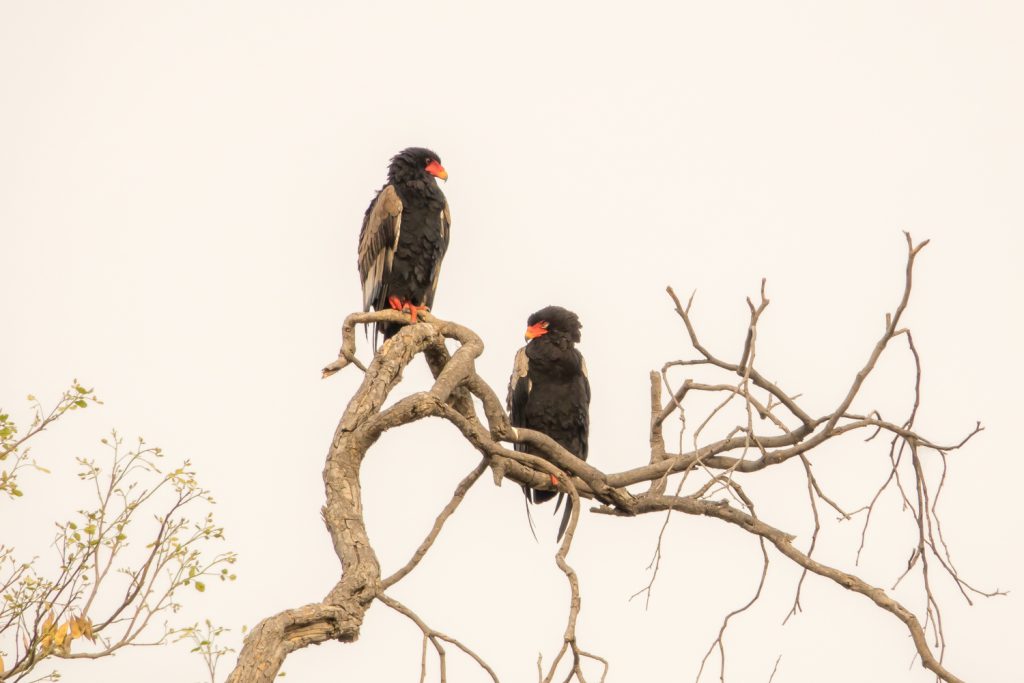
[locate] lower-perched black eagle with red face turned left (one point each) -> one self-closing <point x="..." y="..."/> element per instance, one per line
<point x="549" y="392"/>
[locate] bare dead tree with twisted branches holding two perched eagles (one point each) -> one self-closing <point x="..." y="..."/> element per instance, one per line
<point x="774" y="430"/>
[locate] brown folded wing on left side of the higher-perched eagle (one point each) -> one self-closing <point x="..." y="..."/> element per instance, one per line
<point x="378" y="241"/>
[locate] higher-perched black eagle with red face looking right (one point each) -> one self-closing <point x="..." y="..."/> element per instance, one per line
<point x="404" y="238"/>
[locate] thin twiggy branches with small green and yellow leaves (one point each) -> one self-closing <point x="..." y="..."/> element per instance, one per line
<point x="115" y="574"/>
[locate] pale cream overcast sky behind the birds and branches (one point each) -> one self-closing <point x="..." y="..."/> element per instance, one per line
<point x="182" y="187"/>
